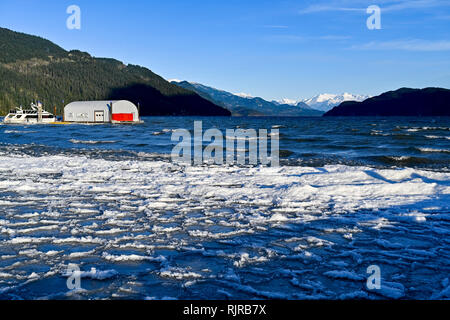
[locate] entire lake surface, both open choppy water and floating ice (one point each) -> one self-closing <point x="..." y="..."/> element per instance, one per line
<point x="350" y="193"/>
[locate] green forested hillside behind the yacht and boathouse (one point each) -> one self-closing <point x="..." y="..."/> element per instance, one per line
<point x="32" y="68"/>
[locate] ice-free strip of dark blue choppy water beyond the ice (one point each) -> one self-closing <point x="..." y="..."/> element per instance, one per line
<point x="383" y="142"/>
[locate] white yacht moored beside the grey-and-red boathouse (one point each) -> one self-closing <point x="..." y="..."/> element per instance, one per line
<point x="29" y="116"/>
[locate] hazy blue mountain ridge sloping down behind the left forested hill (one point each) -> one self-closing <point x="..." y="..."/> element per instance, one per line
<point x="245" y="105"/>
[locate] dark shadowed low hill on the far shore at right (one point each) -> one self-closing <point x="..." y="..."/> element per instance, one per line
<point x="402" y="102"/>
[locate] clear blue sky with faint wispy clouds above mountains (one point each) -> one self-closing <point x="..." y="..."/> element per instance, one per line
<point x="271" y="49"/>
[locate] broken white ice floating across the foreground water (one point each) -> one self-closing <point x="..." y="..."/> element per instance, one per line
<point x="314" y="230"/>
